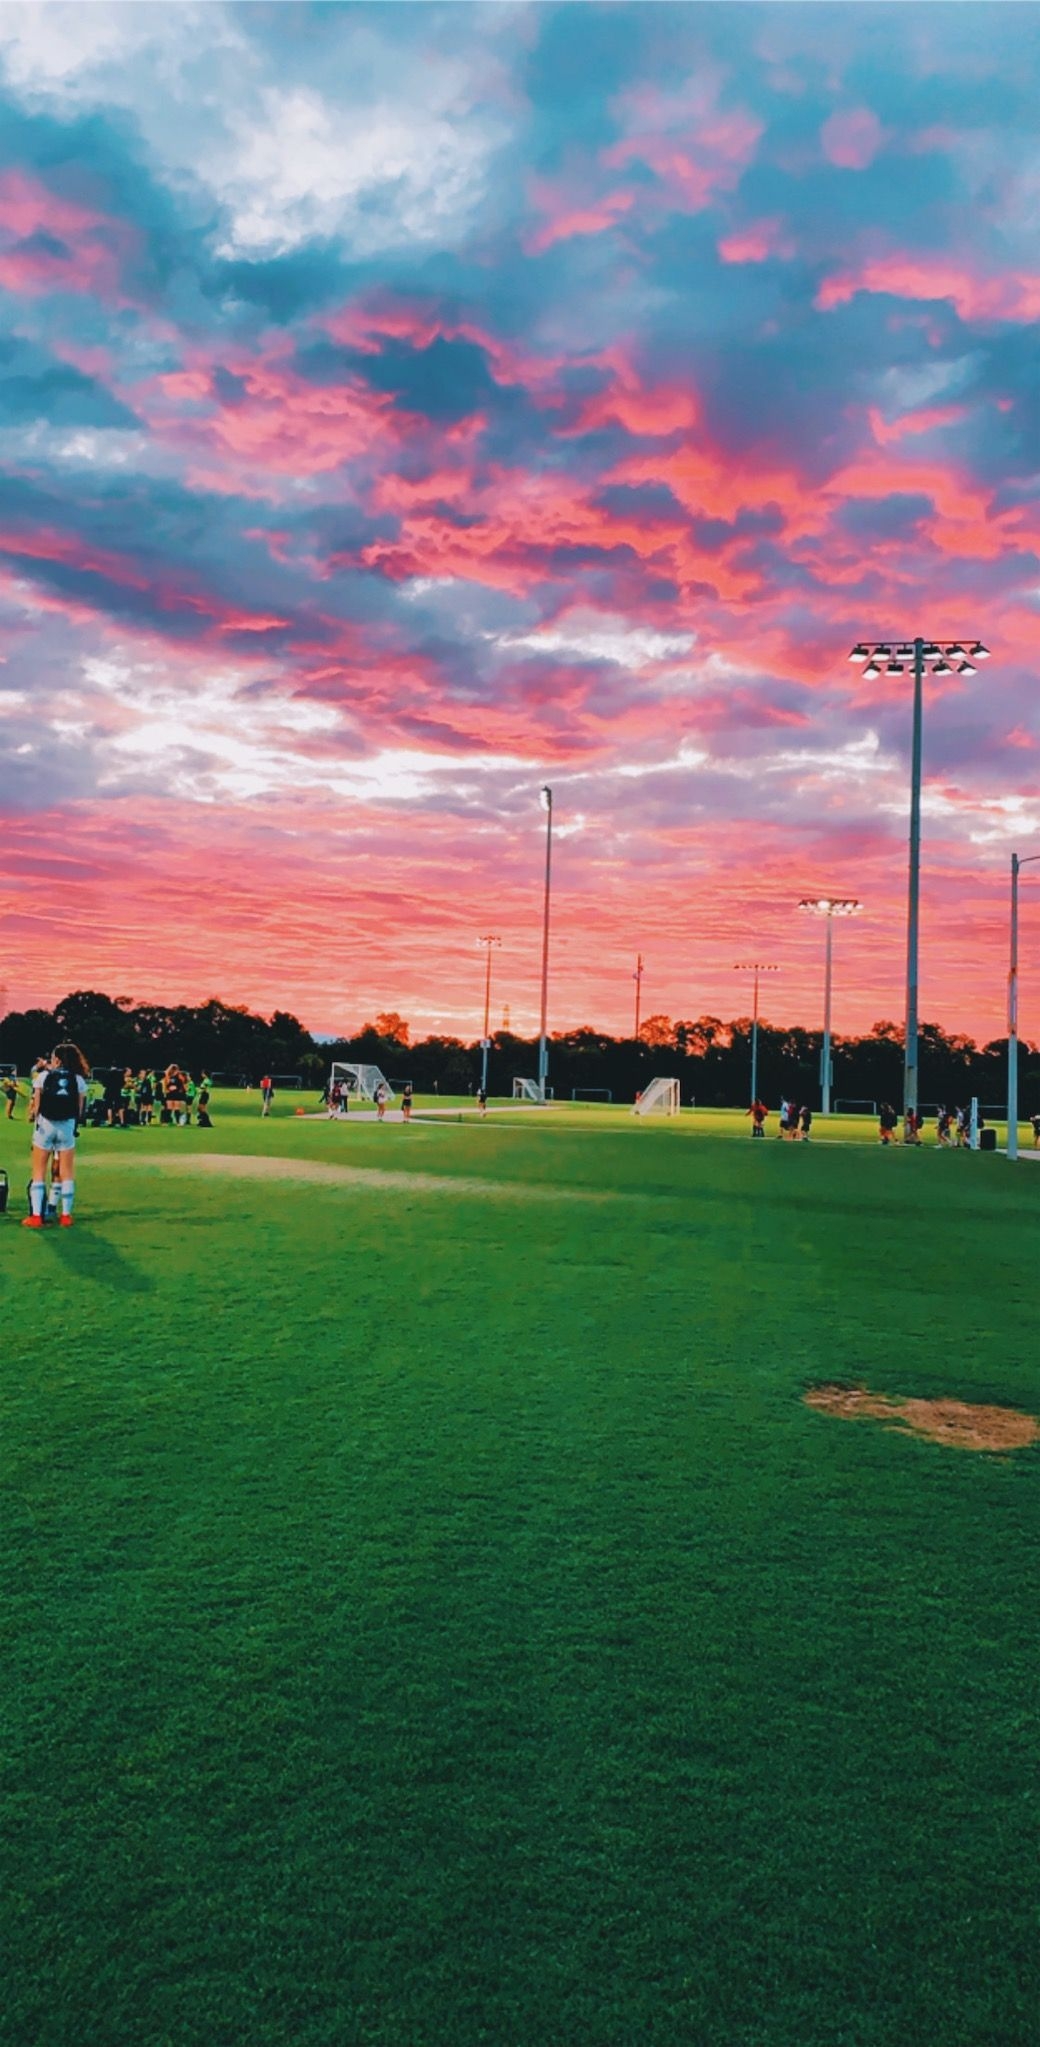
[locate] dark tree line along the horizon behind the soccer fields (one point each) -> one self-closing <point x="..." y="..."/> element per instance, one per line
<point x="709" y="1057"/>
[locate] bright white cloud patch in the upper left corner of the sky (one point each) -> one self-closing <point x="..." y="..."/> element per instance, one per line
<point x="359" y="134"/>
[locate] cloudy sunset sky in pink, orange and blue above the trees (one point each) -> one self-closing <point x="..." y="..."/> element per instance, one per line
<point x="408" y="406"/>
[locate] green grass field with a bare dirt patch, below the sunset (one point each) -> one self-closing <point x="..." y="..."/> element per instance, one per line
<point x="435" y="1618"/>
